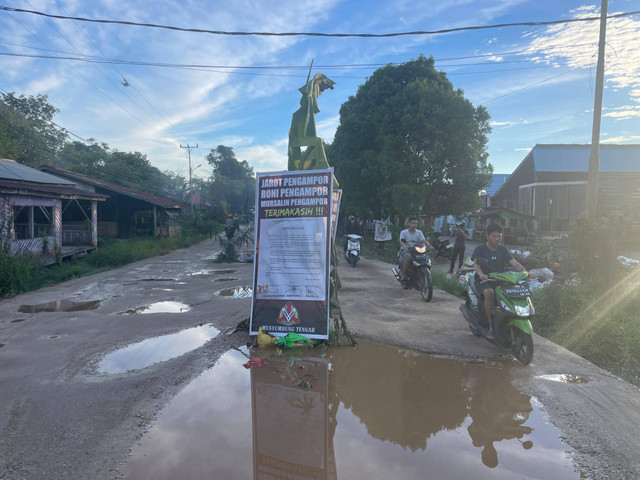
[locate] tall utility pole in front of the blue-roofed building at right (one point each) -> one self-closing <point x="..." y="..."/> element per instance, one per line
<point x="594" y="156"/>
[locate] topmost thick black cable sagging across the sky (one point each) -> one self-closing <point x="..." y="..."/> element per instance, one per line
<point x="318" y="34"/>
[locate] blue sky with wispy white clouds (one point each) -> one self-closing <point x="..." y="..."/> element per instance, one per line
<point x="544" y="94"/>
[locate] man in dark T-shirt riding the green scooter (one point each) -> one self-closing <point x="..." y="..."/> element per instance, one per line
<point x="496" y="256"/>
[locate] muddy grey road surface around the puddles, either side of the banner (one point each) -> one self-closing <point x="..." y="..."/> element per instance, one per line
<point x="61" y="417"/>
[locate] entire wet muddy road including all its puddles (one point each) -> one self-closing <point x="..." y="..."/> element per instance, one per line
<point x="81" y="381"/>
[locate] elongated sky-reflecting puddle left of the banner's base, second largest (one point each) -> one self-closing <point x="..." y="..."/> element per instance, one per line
<point x="154" y="350"/>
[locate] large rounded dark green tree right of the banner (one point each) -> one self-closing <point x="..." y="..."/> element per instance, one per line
<point x="409" y="143"/>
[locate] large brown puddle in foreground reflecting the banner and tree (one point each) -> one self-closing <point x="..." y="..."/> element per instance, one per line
<point x="373" y="412"/>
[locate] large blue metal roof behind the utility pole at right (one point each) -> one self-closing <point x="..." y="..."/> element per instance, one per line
<point x="575" y="158"/>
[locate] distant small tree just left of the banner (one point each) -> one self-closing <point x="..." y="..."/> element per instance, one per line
<point x="233" y="181"/>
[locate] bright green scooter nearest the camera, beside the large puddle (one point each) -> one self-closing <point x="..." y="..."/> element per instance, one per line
<point x="511" y="313"/>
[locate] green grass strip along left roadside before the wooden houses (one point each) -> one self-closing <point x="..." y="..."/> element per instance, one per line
<point x="24" y="274"/>
